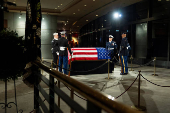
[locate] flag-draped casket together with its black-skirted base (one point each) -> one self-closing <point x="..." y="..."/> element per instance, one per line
<point x="89" y="61"/>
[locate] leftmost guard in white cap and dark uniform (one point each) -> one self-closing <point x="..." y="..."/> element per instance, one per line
<point x="55" y="49"/>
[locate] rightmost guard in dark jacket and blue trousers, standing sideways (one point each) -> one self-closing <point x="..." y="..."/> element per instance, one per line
<point x="123" y="54"/>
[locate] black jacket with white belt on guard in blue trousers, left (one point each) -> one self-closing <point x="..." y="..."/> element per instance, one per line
<point x="63" y="45"/>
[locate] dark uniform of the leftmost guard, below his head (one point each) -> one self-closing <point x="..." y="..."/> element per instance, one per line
<point x="55" y="49"/>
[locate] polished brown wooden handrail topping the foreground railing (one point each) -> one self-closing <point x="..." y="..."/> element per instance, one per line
<point x="90" y="94"/>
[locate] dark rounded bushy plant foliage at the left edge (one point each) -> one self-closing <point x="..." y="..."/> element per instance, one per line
<point x="13" y="59"/>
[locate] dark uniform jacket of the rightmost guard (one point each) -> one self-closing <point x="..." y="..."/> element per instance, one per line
<point x="123" y="47"/>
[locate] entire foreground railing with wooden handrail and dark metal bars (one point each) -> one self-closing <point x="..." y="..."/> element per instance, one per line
<point x="96" y="101"/>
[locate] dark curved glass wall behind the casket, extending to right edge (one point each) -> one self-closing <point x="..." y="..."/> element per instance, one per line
<point x="148" y="28"/>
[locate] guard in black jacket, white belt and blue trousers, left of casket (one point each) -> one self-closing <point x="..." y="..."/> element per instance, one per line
<point x="63" y="53"/>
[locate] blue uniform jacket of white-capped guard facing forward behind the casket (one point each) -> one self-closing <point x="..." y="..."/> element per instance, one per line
<point x="110" y="47"/>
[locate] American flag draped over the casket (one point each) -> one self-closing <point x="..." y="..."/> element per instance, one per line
<point x="88" y="54"/>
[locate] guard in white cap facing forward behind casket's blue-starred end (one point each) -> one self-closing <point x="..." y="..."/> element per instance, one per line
<point x="110" y="47"/>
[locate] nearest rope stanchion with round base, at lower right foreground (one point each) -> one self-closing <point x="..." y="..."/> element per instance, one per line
<point x="139" y="107"/>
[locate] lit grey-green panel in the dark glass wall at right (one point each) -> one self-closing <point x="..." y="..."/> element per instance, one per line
<point x="141" y="40"/>
